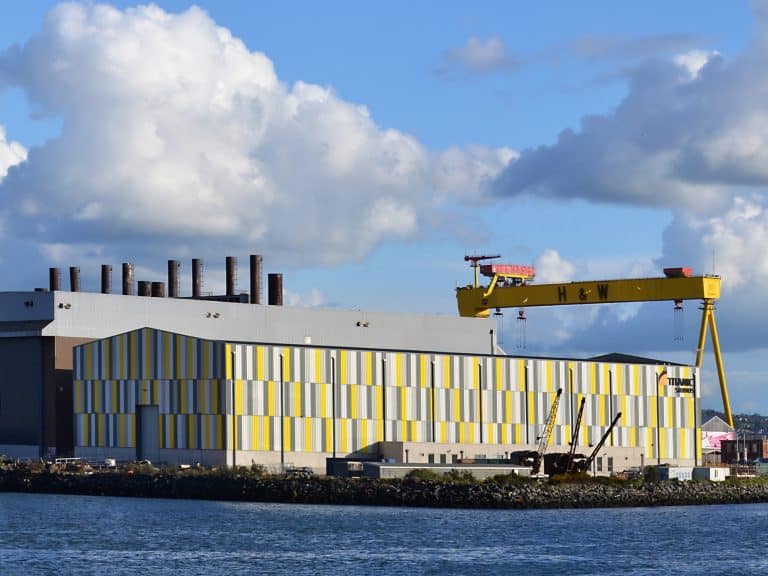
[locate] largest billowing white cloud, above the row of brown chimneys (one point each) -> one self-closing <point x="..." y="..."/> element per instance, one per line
<point x="174" y="132"/>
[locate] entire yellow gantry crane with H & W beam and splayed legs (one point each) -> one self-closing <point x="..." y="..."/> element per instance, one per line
<point x="510" y="287"/>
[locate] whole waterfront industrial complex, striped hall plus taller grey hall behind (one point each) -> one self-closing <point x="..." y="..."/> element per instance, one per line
<point x="226" y="381"/>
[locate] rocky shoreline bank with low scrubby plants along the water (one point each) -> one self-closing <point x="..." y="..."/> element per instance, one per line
<point x="420" y="488"/>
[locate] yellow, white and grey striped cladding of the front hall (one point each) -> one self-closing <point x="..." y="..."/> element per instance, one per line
<point x="304" y="403"/>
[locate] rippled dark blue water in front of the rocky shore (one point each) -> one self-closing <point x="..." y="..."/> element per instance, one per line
<point x="52" y="534"/>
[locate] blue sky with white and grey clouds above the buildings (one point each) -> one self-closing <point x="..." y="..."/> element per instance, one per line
<point x="363" y="149"/>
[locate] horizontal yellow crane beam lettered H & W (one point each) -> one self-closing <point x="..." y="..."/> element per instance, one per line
<point x="476" y="302"/>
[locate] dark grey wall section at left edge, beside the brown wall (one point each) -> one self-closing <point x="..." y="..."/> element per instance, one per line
<point x="21" y="385"/>
